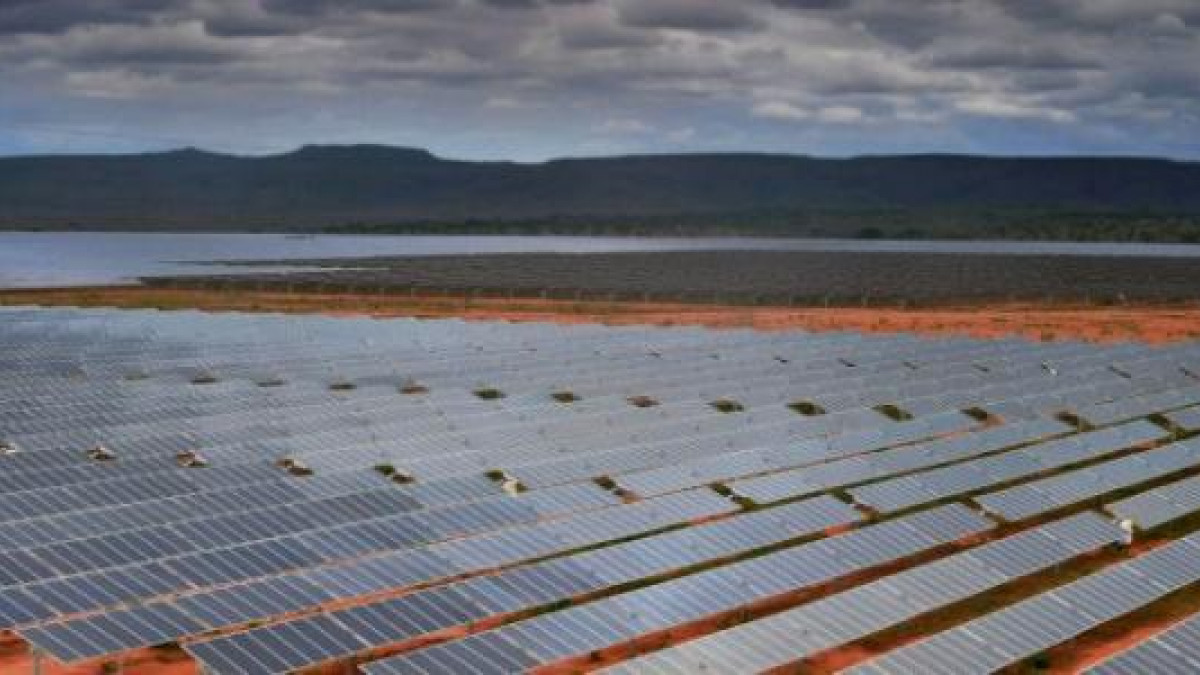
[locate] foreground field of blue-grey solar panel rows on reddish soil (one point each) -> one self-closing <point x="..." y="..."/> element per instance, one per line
<point x="261" y="494"/>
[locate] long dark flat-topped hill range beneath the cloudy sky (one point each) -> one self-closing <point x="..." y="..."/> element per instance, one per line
<point x="381" y="189"/>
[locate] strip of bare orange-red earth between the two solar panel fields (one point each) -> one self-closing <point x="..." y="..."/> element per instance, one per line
<point x="1155" y="324"/>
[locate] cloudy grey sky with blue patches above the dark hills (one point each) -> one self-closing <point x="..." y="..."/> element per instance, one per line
<point x="530" y="80"/>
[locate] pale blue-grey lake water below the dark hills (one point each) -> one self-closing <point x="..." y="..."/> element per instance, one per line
<point x="77" y="259"/>
